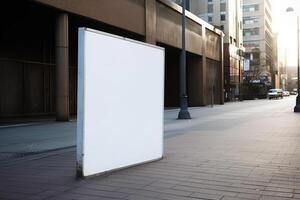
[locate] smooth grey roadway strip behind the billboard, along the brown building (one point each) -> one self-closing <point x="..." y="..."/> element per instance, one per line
<point x="21" y="140"/>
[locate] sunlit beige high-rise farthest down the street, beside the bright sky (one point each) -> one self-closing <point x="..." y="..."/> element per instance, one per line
<point x="258" y="41"/>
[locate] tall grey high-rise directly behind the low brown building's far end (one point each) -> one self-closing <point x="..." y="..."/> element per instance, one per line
<point x="227" y="16"/>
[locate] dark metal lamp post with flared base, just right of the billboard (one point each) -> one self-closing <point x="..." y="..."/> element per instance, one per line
<point x="183" y="113"/>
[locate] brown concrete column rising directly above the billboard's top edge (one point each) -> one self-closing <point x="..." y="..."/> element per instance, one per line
<point x="150" y="17"/>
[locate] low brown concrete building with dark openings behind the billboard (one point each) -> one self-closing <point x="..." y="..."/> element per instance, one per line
<point x="38" y="51"/>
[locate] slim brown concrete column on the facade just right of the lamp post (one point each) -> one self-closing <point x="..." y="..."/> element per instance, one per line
<point x="203" y="87"/>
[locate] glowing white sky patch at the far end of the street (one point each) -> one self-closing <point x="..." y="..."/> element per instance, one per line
<point x="285" y="24"/>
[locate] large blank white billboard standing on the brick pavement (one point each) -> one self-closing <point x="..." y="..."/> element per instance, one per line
<point x="120" y="102"/>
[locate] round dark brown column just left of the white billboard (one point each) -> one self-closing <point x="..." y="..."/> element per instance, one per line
<point x="62" y="67"/>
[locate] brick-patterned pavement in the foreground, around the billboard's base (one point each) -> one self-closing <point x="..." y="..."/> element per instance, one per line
<point x="246" y="153"/>
